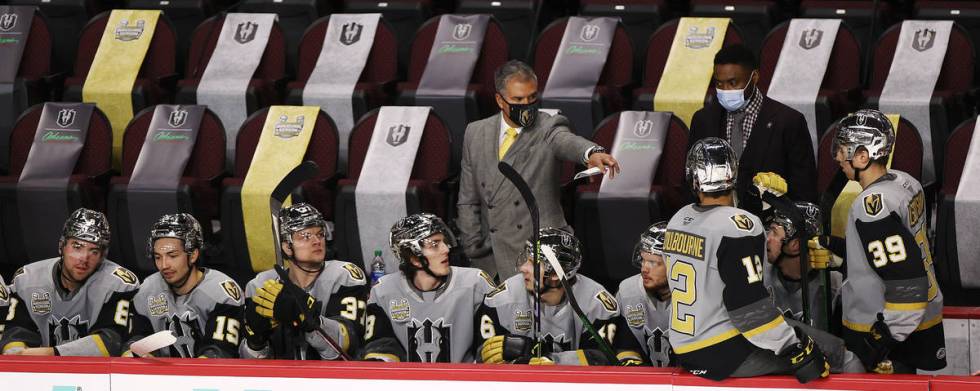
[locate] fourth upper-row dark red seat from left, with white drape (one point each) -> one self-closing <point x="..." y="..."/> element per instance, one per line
<point x="377" y="78"/>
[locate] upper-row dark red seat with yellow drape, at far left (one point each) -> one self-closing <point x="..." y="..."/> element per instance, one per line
<point x="154" y="83"/>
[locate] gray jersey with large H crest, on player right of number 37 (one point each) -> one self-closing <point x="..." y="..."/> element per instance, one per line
<point x="405" y="324"/>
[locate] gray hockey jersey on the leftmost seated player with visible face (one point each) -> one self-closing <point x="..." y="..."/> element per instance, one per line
<point x="93" y="320"/>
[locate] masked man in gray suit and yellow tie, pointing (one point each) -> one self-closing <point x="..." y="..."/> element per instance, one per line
<point x="492" y="216"/>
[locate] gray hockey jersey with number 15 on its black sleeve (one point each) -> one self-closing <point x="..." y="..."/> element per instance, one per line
<point x="206" y="321"/>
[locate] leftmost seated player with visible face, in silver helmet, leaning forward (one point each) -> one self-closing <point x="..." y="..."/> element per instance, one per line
<point x="73" y="305"/>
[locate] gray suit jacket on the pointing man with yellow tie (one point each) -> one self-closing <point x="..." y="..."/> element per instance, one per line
<point x="493" y="220"/>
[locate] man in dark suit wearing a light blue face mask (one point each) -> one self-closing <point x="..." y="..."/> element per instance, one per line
<point x="767" y="136"/>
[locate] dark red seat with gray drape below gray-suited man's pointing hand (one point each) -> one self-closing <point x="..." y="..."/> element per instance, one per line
<point x="666" y="197"/>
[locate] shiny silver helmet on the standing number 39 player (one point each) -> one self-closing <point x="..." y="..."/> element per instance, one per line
<point x="868" y="129"/>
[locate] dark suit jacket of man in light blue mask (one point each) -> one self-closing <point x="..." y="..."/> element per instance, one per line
<point x="780" y="143"/>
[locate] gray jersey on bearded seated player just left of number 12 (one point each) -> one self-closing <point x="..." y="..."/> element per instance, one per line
<point x="648" y="319"/>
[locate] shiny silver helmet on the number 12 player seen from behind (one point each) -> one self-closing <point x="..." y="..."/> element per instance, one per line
<point x="711" y="166"/>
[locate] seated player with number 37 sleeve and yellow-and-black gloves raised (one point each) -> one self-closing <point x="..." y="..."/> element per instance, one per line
<point x="288" y="319"/>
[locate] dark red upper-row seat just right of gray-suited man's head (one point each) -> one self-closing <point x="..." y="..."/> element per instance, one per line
<point x="612" y="89"/>
